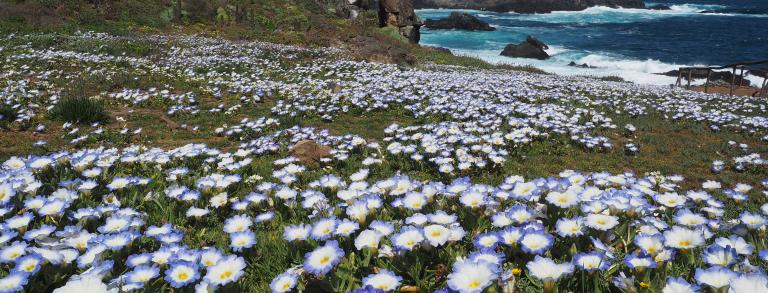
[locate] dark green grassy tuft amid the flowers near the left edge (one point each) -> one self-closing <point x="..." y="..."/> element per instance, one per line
<point x="80" y="110"/>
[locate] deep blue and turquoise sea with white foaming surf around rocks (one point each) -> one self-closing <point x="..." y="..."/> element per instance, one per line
<point x="631" y="43"/>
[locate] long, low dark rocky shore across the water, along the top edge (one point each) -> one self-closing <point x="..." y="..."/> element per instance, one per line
<point x="526" y="6"/>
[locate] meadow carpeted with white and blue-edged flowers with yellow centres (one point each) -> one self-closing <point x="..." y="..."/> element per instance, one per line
<point x="160" y="163"/>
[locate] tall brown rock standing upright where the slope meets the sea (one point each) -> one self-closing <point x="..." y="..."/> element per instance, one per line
<point x="400" y="14"/>
